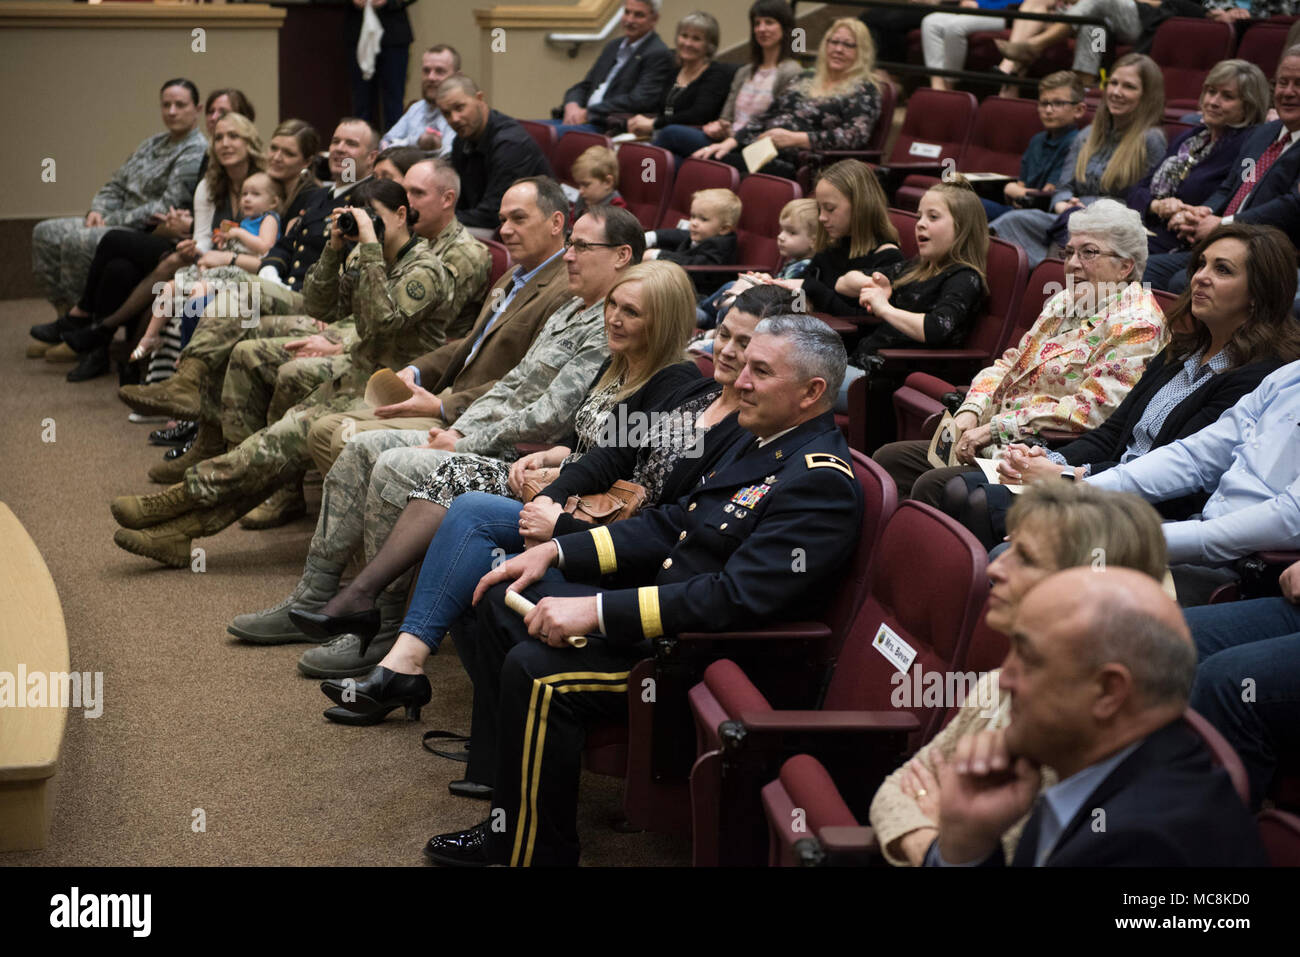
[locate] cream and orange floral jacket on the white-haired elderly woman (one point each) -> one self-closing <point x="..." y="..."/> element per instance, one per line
<point x="1072" y="370"/>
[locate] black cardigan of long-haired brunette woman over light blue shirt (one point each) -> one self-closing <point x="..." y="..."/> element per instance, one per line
<point x="1106" y="444"/>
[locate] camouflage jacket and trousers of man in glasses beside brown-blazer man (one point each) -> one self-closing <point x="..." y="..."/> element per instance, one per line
<point x="536" y="402"/>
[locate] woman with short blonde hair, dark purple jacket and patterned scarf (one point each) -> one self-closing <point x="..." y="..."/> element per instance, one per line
<point x="1236" y="98"/>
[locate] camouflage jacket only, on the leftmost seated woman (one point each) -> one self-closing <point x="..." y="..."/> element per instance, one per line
<point x="161" y="174"/>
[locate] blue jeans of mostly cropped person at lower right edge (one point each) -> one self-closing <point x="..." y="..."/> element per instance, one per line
<point x="1249" y="682"/>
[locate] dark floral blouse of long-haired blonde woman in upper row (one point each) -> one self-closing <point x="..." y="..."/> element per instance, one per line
<point x="840" y="122"/>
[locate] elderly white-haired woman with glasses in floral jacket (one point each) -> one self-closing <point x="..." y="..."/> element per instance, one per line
<point x="1072" y="370"/>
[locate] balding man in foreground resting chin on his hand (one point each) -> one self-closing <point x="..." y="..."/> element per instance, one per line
<point x="1099" y="674"/>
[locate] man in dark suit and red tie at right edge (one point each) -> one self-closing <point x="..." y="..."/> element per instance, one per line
<point x="1260" y="187"/>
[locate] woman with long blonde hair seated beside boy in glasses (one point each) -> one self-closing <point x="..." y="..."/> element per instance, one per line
<point x="1108" y="159"/>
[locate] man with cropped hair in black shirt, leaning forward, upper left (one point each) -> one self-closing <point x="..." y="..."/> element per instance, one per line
<point x="491" y="153"/>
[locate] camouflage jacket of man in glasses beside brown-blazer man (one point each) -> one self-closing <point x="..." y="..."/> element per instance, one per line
<point x="538" y="400"/>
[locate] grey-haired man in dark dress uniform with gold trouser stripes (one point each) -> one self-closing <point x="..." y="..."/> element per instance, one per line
<point x="760" y="539"/>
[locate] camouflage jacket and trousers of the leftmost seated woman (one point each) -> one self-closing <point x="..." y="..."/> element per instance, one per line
<point x="161" y="174"/>
